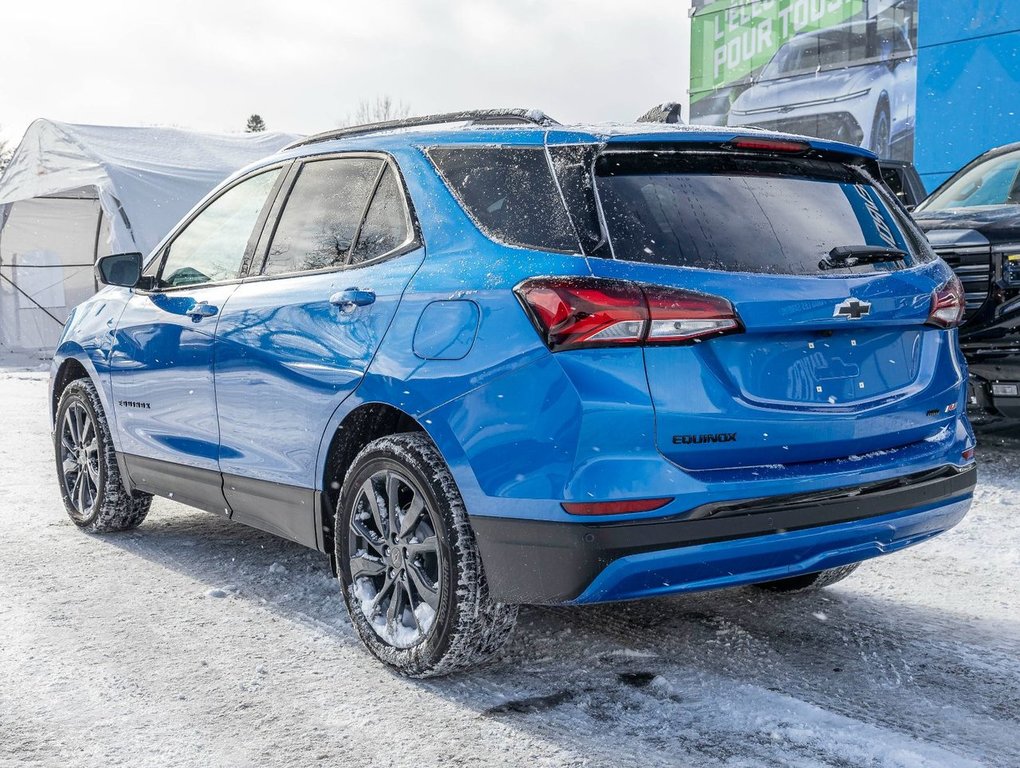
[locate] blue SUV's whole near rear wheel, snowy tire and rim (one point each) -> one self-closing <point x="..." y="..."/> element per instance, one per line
<point x="418" y="596"/>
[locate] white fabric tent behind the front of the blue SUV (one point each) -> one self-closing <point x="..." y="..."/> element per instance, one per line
<point x="74" y="193"/>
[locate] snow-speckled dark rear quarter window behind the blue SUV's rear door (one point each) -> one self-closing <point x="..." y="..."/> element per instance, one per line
<point x="511" y="193"/>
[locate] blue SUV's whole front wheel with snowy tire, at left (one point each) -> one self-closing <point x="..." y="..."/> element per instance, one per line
<point x="90" y="482"/>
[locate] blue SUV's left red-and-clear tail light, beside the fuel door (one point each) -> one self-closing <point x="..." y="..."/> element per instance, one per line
<point x="580" y="313"/>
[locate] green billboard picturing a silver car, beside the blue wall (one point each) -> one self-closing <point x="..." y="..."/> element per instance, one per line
<point x="842" y="70"/>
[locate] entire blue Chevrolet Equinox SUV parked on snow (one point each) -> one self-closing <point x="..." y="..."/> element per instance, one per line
<point x="484" y="360"/>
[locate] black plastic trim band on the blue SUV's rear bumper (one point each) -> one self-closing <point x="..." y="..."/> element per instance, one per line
<point x="536" y="561"/>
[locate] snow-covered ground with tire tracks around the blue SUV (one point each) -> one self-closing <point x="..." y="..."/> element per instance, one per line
<point x="197" y="642"/>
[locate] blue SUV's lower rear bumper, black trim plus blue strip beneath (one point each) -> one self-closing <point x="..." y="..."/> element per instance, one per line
<point x="717" y="546"/>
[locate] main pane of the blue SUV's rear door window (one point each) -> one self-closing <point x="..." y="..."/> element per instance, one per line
<point x="320" y="223"/>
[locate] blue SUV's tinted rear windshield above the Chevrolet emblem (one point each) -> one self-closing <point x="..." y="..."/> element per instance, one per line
<point x="782" y="217"/>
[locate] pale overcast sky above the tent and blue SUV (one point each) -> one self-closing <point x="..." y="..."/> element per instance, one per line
<point x="305" y="65"/>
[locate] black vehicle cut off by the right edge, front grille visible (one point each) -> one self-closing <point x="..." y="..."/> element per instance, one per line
<point x="974" y="223"/>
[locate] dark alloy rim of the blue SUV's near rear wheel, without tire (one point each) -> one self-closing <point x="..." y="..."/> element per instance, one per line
<point x="395" y="558"/>
